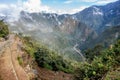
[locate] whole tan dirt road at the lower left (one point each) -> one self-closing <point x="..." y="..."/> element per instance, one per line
<point x="9" y="66"/>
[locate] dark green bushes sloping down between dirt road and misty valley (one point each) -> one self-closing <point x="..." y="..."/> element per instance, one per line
<point x="46" y="58"/>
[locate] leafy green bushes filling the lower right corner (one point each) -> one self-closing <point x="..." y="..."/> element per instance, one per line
<point x="98" y="68"/>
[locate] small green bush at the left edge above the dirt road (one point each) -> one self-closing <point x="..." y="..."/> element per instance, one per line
<point x="3" y="30"/>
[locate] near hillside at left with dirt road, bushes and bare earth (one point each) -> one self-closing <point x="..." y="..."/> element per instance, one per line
<point x="22" y="59"/>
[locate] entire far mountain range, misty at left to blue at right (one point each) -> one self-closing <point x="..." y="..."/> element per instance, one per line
<point x="62" y="32"/>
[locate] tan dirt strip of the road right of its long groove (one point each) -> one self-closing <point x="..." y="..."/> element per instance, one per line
<point x="19" y="71"/>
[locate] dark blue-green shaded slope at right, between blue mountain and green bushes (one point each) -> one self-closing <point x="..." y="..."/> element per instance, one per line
<point x="106" y="38"/>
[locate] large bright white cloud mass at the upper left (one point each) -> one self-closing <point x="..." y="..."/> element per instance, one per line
<point x="12" y="11"/>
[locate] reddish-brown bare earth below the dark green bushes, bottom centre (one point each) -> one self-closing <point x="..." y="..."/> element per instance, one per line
<point x="45" y="74"/>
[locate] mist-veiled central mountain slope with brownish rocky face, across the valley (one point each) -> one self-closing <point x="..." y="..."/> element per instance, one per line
<point x="58" y="32"/>
